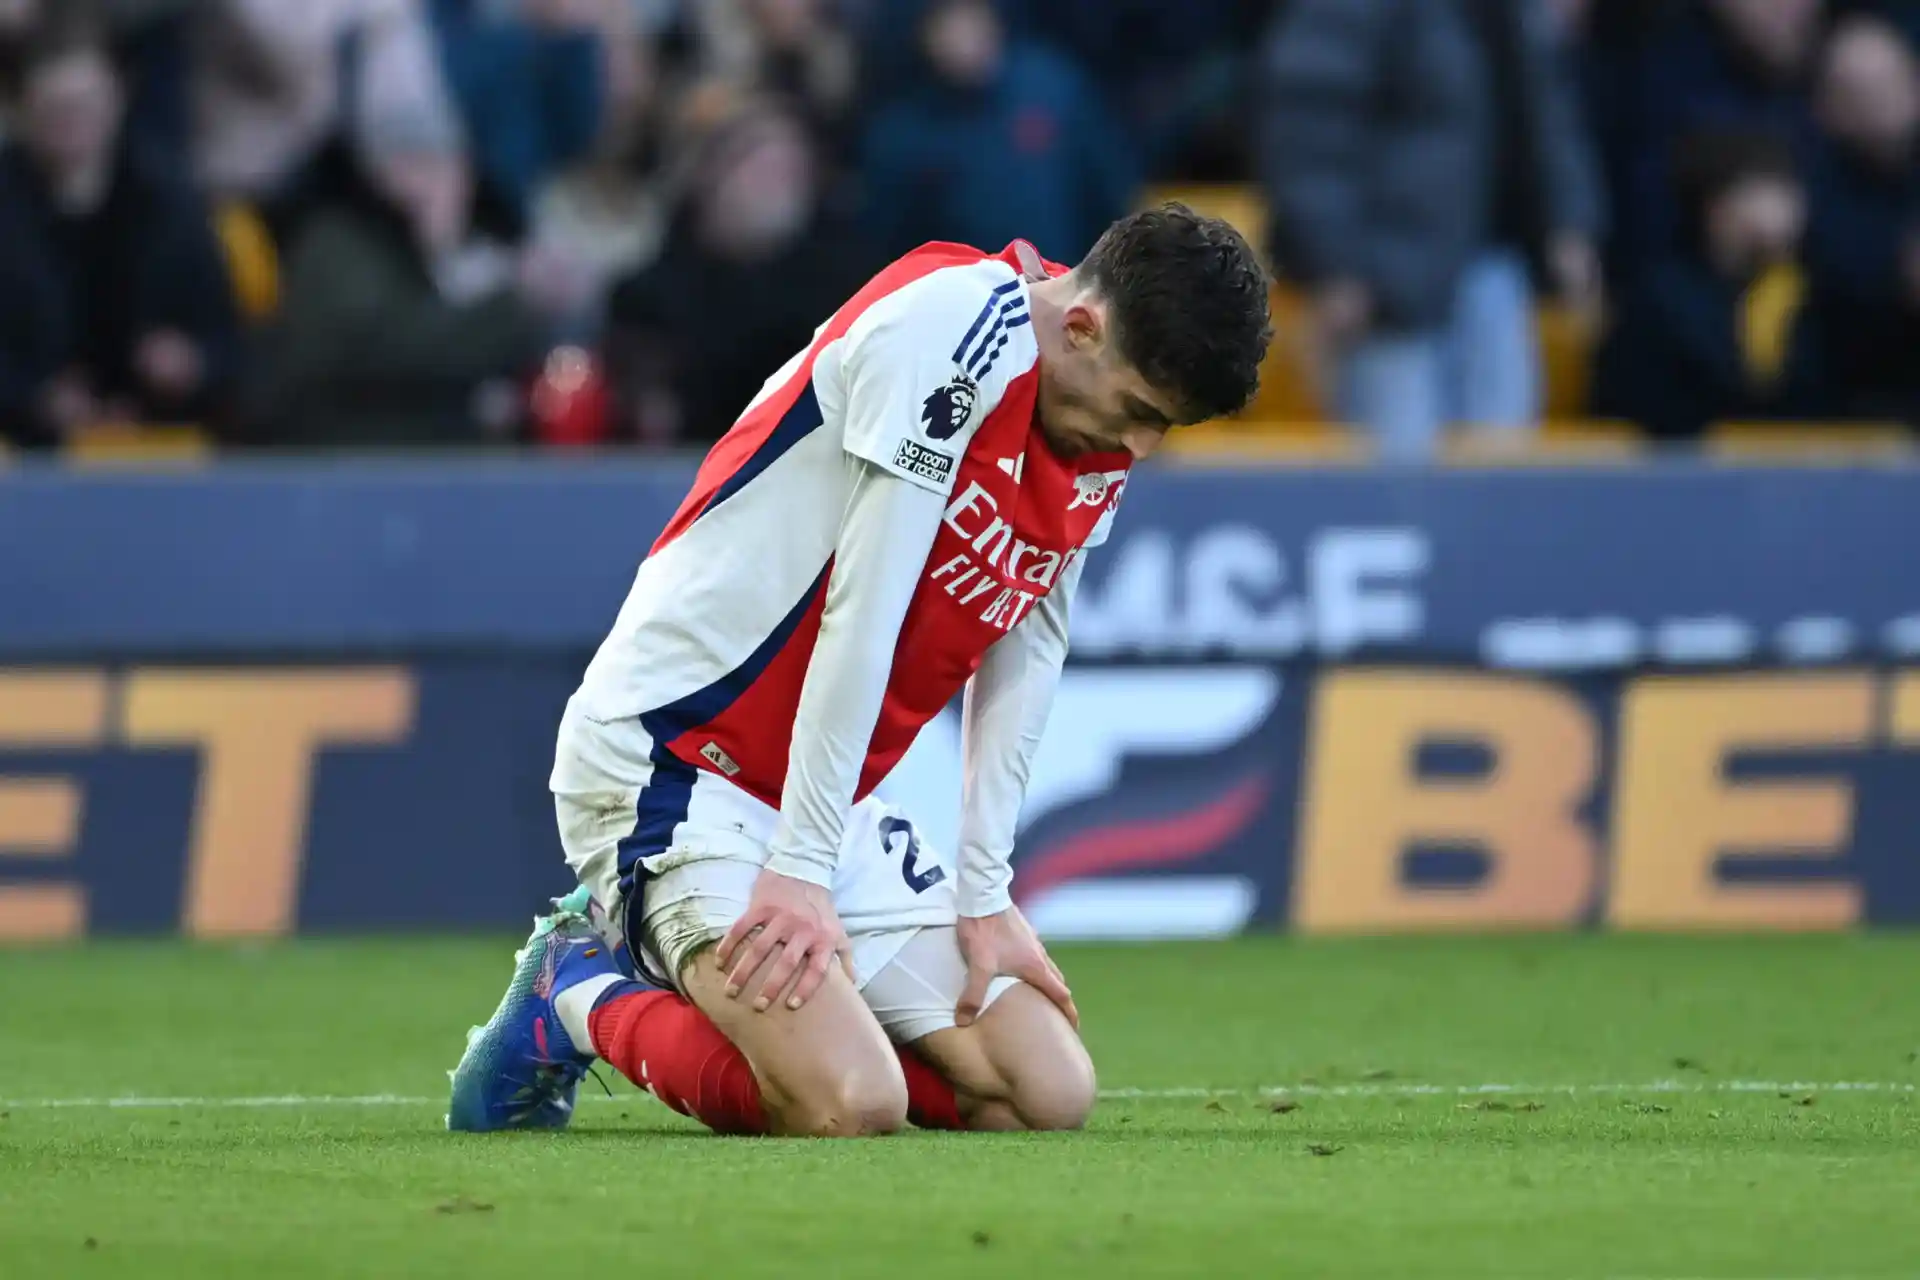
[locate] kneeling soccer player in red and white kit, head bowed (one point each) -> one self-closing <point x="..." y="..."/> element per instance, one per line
<point x="900" y="515"/>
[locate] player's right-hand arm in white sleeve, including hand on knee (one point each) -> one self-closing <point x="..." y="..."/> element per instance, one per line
<point x="1007" y="709"/>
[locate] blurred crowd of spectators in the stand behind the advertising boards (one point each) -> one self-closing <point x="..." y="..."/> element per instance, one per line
<point x="366" y="224"/>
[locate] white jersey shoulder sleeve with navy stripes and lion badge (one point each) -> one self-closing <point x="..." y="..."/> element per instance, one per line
<point x="928" y="364"/>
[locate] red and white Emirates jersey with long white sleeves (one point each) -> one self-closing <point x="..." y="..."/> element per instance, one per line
<point x="882" y="517"/>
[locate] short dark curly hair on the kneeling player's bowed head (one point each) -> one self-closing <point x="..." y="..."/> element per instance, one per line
<point x="1191" y="306"/>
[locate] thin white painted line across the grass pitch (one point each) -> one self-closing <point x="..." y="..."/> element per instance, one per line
<point x="1378" y="1089"/>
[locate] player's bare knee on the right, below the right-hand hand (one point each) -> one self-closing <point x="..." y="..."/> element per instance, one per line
<point x="1019" y="1066"/>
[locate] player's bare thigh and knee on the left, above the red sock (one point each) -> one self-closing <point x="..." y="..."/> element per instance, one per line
<point x="827" y="1070"/>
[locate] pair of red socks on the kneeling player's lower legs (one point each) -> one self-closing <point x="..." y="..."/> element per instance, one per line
<point x="673" y="1051"/>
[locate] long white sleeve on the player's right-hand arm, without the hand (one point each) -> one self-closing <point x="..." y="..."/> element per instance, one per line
<point x="1007" y="709"/>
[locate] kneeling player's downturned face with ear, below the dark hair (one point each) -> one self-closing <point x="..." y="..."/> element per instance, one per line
<point x="1095" y="402"/>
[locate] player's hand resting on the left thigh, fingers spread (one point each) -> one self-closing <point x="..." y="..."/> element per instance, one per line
<point x="794" y="924"/>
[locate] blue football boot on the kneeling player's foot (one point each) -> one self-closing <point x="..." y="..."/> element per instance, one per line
<point x="521" y="1070"/>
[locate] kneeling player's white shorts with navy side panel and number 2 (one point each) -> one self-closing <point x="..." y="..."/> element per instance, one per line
<point x="671" y="853"/>
